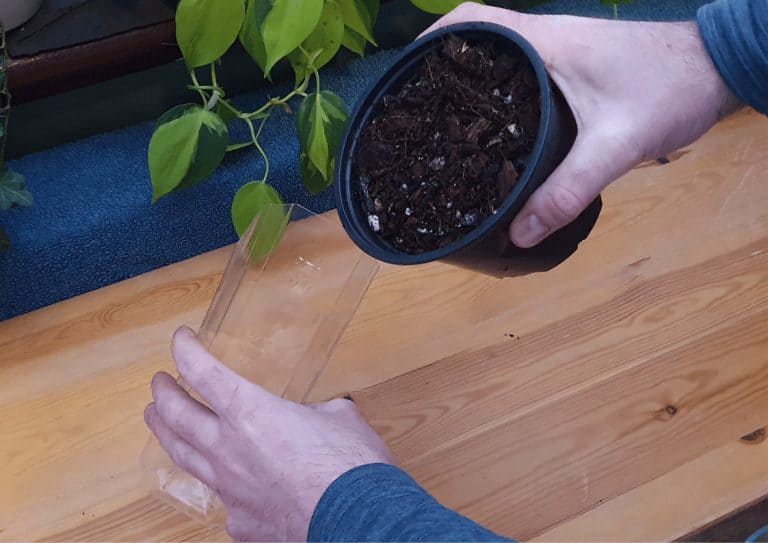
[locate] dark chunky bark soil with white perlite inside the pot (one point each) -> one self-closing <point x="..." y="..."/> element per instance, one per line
<point x="441" y="153"/>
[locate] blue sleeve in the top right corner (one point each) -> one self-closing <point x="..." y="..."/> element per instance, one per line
<point x="735" y="33"/>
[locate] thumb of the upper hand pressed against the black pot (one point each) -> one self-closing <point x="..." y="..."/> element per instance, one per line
<point x="586" y="171"/>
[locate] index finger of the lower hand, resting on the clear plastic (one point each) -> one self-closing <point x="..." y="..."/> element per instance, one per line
<point x="220" y="387"/>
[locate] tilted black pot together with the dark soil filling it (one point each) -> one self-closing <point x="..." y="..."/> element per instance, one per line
<point x="417" y="214"/>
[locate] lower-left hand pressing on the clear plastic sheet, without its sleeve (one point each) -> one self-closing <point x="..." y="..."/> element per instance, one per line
<point x="268" y="459"/>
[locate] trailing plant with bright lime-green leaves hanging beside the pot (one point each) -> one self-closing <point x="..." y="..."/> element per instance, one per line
<point x="191" y="140"/>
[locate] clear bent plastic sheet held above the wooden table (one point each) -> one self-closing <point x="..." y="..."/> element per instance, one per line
<point x="291" y="287"/>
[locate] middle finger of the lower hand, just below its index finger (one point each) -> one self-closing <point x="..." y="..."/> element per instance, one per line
<point x="191" y="420"/>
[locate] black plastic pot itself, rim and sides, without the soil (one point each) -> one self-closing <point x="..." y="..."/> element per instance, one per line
<point x="486" y="248"/>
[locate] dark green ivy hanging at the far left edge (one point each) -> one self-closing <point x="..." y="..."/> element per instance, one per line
<point x="13" y="192"/>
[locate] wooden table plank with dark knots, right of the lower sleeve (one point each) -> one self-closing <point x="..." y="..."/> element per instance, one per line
<point x="571" y="452"/>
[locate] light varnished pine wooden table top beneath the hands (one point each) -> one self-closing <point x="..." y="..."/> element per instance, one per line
<point x="603" y="400"/>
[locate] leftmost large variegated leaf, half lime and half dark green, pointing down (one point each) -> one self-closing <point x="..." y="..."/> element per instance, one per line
<point x="187" y="146"/>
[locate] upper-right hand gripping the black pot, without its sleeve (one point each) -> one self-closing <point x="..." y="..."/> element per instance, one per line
<point x="638" y="91"/>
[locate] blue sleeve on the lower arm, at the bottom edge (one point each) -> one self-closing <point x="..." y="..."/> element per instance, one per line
<point x="382" y="503"/>
